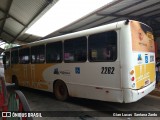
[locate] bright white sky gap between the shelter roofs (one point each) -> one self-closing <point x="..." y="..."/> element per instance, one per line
<point x="63" y="13"/>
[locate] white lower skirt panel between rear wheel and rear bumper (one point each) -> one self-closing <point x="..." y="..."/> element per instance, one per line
<point x="96" y="93"/>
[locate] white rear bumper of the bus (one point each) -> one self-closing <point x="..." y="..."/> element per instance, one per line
<point x="131" y="95"/>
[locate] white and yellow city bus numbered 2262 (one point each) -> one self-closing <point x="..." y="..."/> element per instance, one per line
<point x="113" y="62"/>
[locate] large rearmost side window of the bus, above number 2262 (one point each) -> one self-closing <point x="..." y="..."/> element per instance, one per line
<point x="103" y="47"/>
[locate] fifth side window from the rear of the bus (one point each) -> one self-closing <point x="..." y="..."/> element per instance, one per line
<point x="24" y="57"/>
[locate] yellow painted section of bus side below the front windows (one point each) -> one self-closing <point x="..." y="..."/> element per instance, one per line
<point x="29" y="75"/>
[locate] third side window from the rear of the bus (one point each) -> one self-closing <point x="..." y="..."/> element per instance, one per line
<point x="54" y="52"/>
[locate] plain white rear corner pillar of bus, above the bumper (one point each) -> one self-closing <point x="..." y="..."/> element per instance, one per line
<point x="125" y="55"/>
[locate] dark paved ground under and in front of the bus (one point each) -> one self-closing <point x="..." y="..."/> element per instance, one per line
<point x="88" y="109"/>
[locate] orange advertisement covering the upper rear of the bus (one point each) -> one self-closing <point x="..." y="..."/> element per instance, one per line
<point x="142" y="37"/>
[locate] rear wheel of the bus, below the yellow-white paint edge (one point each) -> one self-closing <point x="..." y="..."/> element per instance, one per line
<point x="60" y="90"/>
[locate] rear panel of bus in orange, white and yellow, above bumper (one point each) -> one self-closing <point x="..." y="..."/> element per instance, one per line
<point x="143" y="53"/>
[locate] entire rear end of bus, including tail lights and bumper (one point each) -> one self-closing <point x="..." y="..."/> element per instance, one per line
<point x="141" y="70"/>
